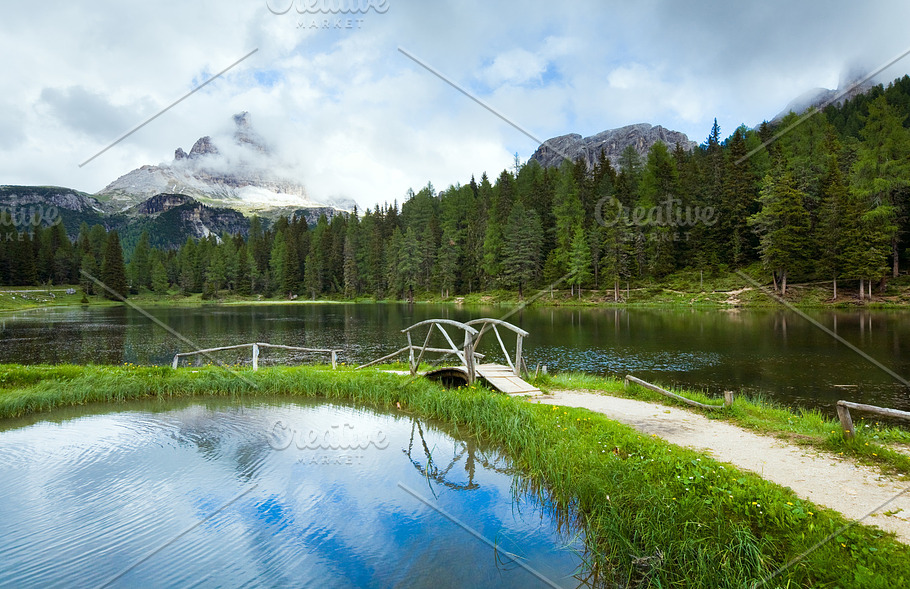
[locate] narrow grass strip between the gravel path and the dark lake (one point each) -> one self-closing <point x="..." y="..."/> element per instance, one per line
<point x="874" y="443"/>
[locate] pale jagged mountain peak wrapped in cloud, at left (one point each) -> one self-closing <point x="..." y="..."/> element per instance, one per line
<point x="238" y="173"/>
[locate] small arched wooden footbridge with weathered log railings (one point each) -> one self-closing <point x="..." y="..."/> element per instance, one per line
<point x="502" y="377"/>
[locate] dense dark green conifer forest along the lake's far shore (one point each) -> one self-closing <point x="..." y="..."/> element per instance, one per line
<point x="823" y="196"/>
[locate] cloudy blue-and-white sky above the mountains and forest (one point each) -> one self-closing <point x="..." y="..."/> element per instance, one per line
<point x="360" y="119"/>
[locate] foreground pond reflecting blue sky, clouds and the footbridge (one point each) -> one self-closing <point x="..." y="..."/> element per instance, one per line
<point x="191" y="494"/>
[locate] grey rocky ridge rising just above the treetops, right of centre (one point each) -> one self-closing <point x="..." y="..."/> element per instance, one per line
<point x="611" y="142"/>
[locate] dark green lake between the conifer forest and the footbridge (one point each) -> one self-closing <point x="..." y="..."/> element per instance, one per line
<point x="773" y="352"/>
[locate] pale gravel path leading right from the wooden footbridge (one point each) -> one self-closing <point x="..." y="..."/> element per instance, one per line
<point x="826" y="479"/>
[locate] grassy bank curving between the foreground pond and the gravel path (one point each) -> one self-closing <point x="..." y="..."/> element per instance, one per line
<point x="655" y="515"/>
